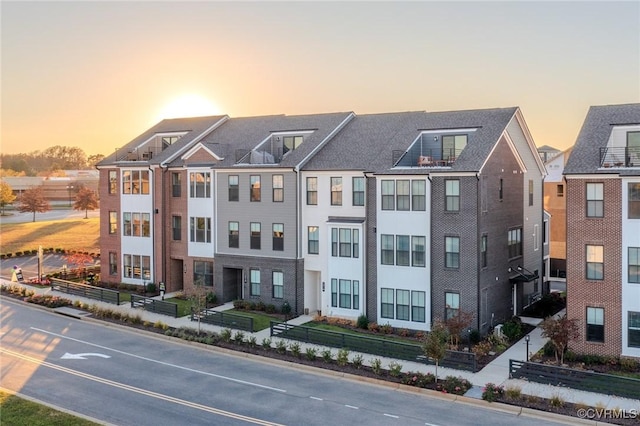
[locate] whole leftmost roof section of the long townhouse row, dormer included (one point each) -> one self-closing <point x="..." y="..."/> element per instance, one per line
<point x="149" y="148"/>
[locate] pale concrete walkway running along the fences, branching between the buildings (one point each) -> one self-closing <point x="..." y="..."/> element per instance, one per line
<point x="496" y="372"/>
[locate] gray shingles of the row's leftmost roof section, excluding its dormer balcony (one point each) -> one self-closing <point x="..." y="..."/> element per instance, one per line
<point x="195" y="126"/>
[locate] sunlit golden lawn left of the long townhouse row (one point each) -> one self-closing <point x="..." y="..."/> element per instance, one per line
<point x="73" y="234"/>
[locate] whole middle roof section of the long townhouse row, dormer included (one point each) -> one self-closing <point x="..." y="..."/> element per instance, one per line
<point x="244" y="141"/>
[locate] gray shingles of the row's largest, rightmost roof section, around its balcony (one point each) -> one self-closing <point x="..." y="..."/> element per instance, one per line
<point x="368" y="141"/>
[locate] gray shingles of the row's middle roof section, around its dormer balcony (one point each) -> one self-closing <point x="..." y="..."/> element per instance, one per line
<point x="246" y="133"/>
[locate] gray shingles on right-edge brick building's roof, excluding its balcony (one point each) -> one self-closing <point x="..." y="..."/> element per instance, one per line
<point x="594" y="134"/>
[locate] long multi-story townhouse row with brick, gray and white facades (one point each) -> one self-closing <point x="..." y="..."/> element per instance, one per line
<point x="402" y="217"/>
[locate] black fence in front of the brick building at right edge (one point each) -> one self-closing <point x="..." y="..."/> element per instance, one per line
<point x="607" y="384"/>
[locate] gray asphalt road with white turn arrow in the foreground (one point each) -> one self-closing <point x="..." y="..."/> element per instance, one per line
<point x="131" y="378"/>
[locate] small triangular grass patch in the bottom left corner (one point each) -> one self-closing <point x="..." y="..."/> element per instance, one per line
<point x="18" y="411"/>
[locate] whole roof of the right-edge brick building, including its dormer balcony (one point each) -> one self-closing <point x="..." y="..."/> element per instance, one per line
<point x="590" y="152"/>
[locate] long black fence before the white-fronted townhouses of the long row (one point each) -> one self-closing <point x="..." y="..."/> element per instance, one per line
<point x="370" y="345"/>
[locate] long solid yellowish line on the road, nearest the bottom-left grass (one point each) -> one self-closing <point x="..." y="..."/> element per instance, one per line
<point x="162" y="397"/>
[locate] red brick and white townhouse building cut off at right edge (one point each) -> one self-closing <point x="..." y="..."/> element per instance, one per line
<point x="603" y="232"/>
